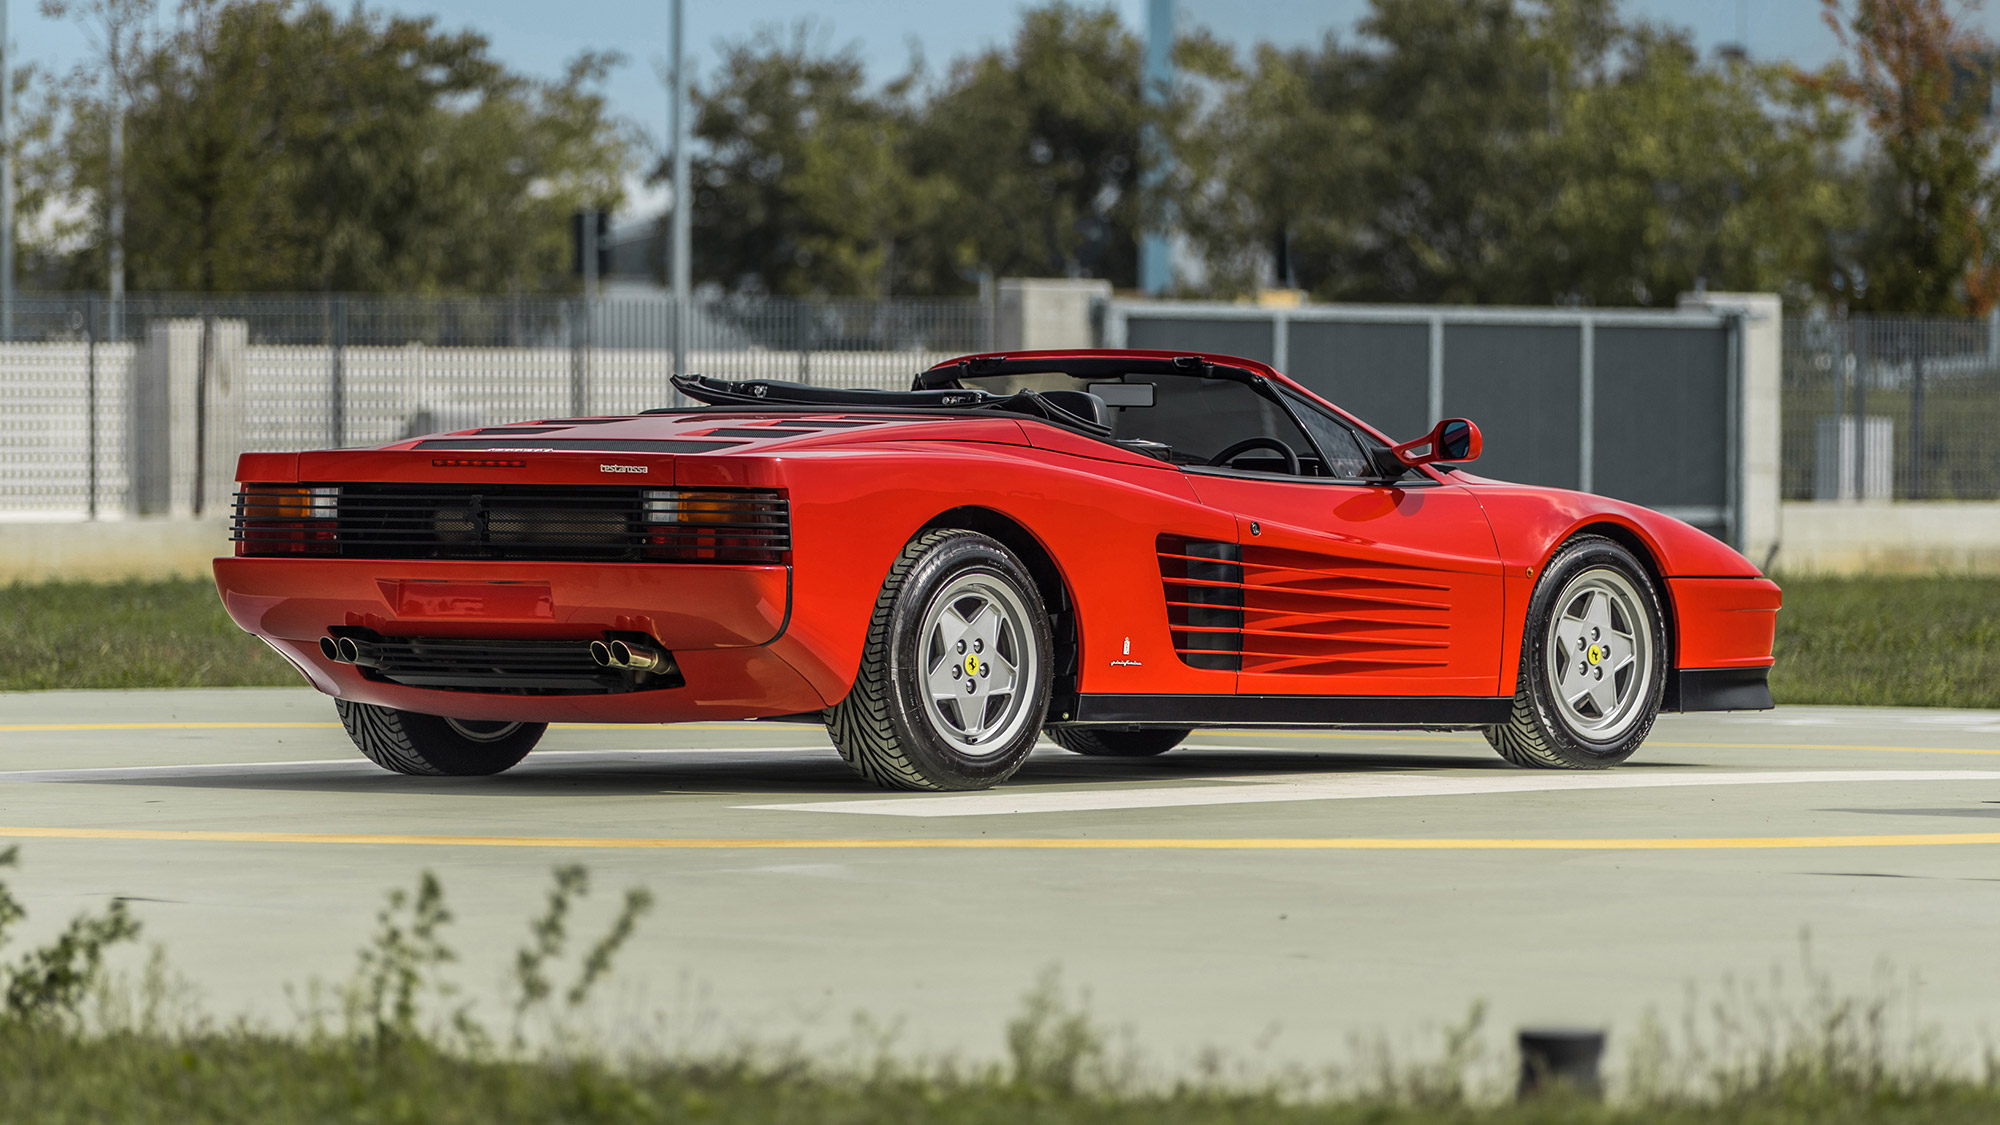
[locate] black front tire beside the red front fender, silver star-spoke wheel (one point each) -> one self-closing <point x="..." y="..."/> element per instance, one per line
<point x="1549" y="734"/>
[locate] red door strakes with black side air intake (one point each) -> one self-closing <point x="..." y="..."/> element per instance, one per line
<point x="1277" y="612"/>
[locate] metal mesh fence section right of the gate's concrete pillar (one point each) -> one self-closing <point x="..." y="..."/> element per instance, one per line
<point x="1891" y="409"/>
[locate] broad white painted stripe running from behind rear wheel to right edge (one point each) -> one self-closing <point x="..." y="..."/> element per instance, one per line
<point x="1343" y="788"/>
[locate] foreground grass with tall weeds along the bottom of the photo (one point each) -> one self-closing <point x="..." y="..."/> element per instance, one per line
<point x="405" y="1046"/>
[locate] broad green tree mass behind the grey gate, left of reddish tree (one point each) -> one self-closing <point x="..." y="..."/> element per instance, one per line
<point x="1497" y="151"/>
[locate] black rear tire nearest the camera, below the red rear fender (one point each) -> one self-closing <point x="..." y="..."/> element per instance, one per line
<point x="889" y="728"/>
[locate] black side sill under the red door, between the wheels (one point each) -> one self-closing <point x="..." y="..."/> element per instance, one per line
<point x="1289" y="712"/>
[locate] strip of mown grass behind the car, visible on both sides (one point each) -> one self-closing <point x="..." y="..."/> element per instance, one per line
<point x="1901" y="642"/>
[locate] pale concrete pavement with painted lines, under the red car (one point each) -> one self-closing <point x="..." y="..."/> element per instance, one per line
<point x="1271" y="896"/>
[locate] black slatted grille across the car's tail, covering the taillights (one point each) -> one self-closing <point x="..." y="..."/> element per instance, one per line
<point x="515" y="523"/>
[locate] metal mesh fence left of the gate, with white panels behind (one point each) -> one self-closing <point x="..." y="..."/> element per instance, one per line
<point x="143" y="407"/>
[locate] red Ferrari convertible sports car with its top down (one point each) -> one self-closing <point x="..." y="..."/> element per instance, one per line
<point x="1107" y="547"/>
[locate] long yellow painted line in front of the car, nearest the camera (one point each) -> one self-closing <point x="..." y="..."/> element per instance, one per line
<point x="1017" y="844"/>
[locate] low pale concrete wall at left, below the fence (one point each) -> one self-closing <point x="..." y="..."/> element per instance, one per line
<point x="111" y="549"/>
